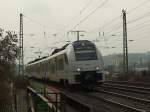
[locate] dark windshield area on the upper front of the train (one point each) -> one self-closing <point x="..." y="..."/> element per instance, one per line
<point x="85" y="51"/>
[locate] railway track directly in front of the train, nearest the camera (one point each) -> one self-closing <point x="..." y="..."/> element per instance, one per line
<point x="102" y="104"/>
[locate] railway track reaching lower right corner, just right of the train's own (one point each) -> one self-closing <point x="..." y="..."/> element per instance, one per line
<point x="133" y="102"/>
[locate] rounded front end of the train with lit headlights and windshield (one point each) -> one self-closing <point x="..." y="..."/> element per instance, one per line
<point x="87" y="64"/>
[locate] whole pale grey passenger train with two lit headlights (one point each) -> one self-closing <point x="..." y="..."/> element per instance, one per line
<point x="76" y="63"/>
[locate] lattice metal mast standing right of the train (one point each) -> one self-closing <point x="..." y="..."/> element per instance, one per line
<point x="125" y="43"/>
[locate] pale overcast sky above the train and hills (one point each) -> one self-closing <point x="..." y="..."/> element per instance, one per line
<point x="57" y="17"/>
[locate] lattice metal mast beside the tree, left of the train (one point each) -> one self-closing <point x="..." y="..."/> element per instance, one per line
<point x="21" y="56"/>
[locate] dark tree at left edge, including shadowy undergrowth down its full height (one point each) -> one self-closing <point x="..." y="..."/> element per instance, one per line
<point x="8" y="55"/>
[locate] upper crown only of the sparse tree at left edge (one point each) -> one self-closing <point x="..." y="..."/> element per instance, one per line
<point x="8" y="46"/>
